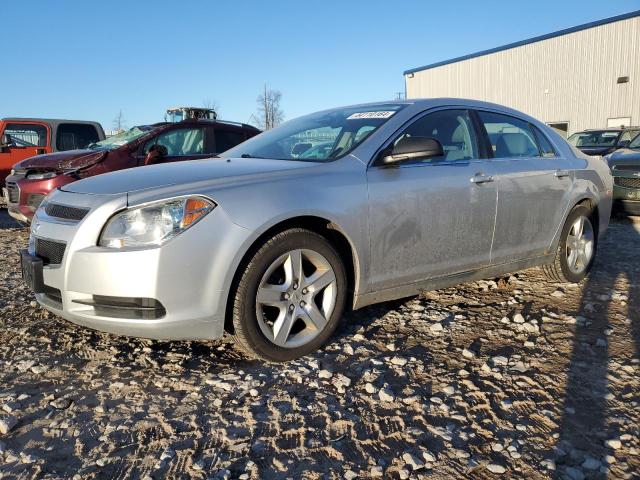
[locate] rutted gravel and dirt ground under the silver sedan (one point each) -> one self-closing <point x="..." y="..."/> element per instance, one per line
<point x="514" y="377"/>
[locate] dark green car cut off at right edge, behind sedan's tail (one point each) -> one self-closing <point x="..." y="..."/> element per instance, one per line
<point x="625" y="168"/>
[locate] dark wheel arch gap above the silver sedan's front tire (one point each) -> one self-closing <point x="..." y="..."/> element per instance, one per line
<point x="320" y="225"/>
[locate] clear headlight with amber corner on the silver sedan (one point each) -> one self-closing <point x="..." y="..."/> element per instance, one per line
<point x="154" y="224"/>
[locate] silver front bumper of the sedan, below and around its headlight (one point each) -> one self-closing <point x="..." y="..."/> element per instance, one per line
<point x="190" y="276"/>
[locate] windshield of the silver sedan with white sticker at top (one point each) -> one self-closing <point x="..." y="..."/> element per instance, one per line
<point x="317" y="137"/>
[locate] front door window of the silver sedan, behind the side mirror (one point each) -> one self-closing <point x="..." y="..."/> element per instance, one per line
<point x="452" y="128"/>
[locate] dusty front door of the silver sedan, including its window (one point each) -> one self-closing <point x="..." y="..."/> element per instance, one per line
<point x="433" y="217"/>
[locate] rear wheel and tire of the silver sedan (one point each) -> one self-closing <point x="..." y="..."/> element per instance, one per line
<point x="564" y="269"/>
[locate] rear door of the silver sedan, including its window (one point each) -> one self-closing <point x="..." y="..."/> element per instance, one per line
<point x="534" y="185"/>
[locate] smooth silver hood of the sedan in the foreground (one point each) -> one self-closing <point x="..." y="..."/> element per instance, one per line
<point x="219" y="170"/>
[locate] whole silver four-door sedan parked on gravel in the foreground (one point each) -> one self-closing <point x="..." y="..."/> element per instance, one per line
<point x="334" y="210"/>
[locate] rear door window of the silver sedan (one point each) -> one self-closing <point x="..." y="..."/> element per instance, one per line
<point x="510" y="137"/>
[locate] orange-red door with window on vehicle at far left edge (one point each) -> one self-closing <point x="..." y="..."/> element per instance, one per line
<point x="26" y="139"/>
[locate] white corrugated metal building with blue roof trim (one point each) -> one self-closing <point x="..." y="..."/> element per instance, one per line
<point x="582" y="77"/>
